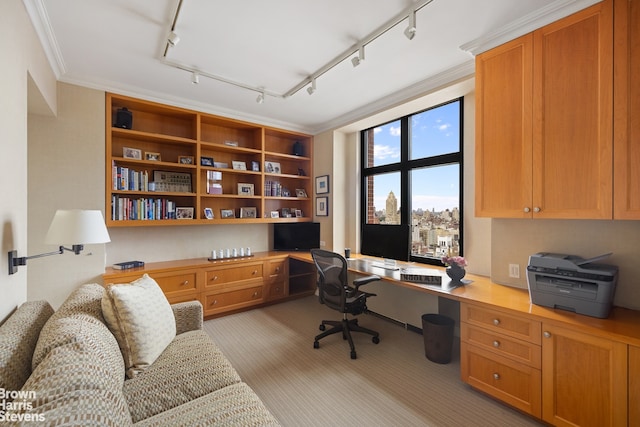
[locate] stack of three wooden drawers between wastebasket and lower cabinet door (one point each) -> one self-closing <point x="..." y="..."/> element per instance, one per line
<point x="500" y="355"/>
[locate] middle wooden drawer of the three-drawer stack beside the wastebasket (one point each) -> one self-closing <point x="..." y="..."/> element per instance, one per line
<point x="504" y="345"/>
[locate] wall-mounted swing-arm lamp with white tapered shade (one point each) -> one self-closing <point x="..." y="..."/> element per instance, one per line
<point x="69" y="227"/>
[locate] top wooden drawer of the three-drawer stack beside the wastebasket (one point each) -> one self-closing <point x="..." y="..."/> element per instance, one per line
<point x="502" y="322"/>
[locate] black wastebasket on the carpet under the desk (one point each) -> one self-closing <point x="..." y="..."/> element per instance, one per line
<point x="437" y="331"/>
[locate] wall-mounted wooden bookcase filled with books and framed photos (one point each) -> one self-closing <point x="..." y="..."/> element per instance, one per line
<point x="182" y="167"/>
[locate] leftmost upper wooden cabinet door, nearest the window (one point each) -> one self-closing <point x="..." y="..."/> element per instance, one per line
<point x="504" y="130"/>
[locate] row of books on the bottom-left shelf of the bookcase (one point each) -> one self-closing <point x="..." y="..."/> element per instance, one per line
<point x="126" y="208"/>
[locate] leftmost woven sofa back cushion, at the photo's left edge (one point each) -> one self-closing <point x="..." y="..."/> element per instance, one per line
<point x="18" y="338"/>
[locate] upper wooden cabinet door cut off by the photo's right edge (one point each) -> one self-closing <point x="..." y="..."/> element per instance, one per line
<point x="627" y="110"/>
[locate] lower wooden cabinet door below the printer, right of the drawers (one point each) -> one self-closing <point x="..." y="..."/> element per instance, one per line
<point x="584" y="379"/>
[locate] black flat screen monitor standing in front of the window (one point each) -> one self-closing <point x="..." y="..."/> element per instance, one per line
<point x="385" y="241"/>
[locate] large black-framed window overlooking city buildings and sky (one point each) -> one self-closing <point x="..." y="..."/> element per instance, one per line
<point x="412" y="176"/>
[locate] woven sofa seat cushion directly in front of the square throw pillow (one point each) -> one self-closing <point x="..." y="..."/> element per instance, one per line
<point x="191" y="366"/>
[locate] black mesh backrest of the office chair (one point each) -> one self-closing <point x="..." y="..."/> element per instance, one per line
<point x="332" y="278"/>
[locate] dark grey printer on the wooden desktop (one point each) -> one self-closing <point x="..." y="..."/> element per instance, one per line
<point x="572" y="283"/>
